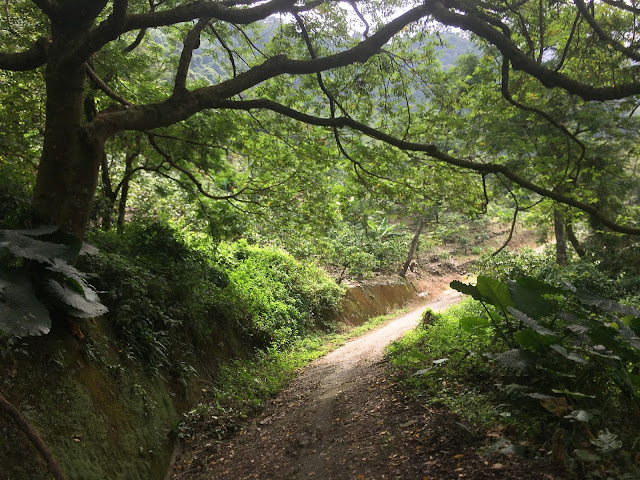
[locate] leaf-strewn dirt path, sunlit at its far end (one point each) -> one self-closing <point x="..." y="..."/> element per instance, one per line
<point x="342" y="418"/>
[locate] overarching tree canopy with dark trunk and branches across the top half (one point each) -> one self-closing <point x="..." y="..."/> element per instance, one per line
<point x="290" y="87"/>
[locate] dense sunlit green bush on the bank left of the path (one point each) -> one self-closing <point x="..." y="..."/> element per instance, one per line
<point x="168" y="290"/>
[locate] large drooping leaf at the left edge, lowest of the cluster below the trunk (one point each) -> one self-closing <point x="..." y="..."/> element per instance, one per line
<point x="21" y="313"/>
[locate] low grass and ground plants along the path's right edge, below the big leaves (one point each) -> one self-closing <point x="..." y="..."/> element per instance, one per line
<point x="446" y="367"/>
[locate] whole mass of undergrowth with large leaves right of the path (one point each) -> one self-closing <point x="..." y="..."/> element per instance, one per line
<point x="539" y="359"/>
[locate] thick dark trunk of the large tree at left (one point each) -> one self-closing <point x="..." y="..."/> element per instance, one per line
<point x="68" y="172"/>
